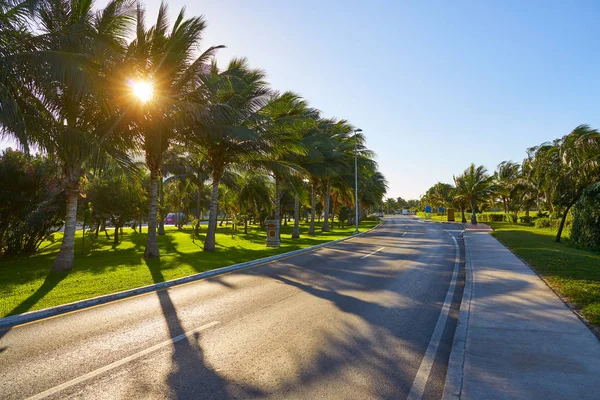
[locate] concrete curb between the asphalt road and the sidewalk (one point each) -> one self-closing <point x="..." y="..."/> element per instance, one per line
<point x="454" y="375"/>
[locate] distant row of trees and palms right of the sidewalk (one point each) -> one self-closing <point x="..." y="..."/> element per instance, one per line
<point x="552" y="178"/>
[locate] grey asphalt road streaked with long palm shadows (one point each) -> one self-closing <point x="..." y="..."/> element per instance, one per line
<point x="363" y="319"/>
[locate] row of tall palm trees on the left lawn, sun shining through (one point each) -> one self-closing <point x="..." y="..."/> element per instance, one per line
<point x="68" y="75"/>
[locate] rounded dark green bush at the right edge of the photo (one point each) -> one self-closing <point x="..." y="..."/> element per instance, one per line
<point x="586" y="219"/>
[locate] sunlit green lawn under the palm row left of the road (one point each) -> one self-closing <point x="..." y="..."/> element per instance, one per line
<point x="26" y="285"/>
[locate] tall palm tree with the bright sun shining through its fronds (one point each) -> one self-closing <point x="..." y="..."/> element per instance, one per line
<point x="165" y="57"/>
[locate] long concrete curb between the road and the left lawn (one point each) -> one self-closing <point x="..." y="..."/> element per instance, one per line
<point x="13" y="320"/>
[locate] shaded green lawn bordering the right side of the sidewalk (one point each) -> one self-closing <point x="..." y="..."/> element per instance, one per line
<point x="573" y="272"/>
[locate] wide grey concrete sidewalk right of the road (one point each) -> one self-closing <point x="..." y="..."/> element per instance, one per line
<point x="515" y="338"/>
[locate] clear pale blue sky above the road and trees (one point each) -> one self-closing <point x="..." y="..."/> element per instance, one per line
<point x="435" y="85"/>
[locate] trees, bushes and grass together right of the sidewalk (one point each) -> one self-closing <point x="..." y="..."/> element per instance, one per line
<point x="545" y="209"/>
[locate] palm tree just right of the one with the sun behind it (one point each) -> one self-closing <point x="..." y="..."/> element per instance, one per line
<point x="228" y="131"/>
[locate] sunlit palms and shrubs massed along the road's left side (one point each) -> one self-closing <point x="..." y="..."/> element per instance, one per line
<point x="121" y="123"/>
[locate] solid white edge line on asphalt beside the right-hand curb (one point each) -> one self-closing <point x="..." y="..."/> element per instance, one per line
<point x="418" y="386"/>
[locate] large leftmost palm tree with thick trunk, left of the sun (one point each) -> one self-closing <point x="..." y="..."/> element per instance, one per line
<point x="66" y="106"/>
